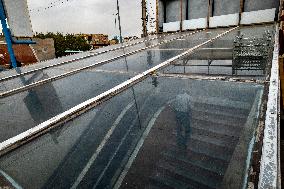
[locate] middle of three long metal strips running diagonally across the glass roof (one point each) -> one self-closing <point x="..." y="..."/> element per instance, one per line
<point x="44" y="81"/>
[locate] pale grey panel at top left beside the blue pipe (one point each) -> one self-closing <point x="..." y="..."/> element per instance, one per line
<point x="18" y="18"/>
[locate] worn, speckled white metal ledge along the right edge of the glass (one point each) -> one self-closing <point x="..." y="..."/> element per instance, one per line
<point x="269" y="165"/>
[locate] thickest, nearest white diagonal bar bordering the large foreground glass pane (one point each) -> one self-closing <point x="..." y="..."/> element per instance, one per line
<point x="78" y="110"/>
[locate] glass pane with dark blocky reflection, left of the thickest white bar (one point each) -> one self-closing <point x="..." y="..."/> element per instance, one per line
<point x="25" y="110"/>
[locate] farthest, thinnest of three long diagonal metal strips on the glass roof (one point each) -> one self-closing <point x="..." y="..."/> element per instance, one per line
<point x="84" y="57"/>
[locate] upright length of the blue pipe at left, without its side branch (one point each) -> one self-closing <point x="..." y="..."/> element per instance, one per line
<point x="7" y="35"/>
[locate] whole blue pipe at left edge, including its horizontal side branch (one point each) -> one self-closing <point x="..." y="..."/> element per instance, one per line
<point x="8" y="37"/>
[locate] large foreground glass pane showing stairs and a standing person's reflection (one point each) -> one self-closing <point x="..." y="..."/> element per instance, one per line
<point x="144" y="138"/>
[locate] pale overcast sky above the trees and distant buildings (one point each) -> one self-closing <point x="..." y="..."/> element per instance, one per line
<point x="86" y="16"/>
